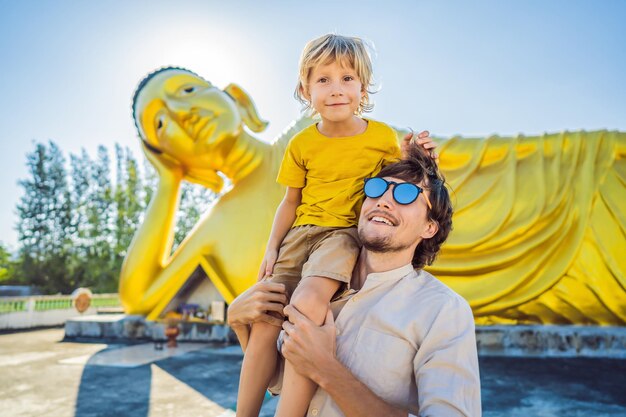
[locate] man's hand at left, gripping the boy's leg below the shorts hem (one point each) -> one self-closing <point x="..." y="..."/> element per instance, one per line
<point x="256" y="302"/>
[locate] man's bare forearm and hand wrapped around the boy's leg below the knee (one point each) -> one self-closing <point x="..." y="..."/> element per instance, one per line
<point x="311" y="351"/>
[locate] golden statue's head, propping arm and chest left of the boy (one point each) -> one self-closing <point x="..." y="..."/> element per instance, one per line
<point x="194" y="131"/>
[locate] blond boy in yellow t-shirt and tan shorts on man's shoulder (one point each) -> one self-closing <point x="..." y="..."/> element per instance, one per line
<point x="313" y="245"/>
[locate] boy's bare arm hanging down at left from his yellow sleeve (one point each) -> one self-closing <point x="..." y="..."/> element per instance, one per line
<point x="283" y="220"/>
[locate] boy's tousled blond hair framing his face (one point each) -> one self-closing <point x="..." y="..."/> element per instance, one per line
<point x="346" y="50"/>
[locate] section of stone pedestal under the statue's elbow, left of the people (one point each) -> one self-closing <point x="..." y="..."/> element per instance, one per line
<point x="129" y="328"/>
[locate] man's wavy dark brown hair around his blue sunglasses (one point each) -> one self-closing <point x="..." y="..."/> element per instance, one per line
<point x="416" y="167"/>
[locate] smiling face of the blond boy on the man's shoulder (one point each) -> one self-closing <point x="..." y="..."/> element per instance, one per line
<point x="334" y="91"/>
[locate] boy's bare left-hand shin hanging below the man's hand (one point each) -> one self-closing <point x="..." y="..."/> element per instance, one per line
<point x="259" y="365"/>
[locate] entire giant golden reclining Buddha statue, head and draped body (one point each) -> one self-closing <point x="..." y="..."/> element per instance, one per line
<point x="539" y="226"/>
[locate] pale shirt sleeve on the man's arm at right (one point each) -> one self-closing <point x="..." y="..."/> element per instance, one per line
<point x="446" y="364"/>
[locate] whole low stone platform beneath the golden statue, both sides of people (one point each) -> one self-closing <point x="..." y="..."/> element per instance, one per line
<point x="527" y="341"/>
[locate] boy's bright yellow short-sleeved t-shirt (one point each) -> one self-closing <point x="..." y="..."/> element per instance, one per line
<point x="331" y="171"/>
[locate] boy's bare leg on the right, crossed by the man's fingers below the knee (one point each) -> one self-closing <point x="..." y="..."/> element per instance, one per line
<point x="311" y="298"/>
